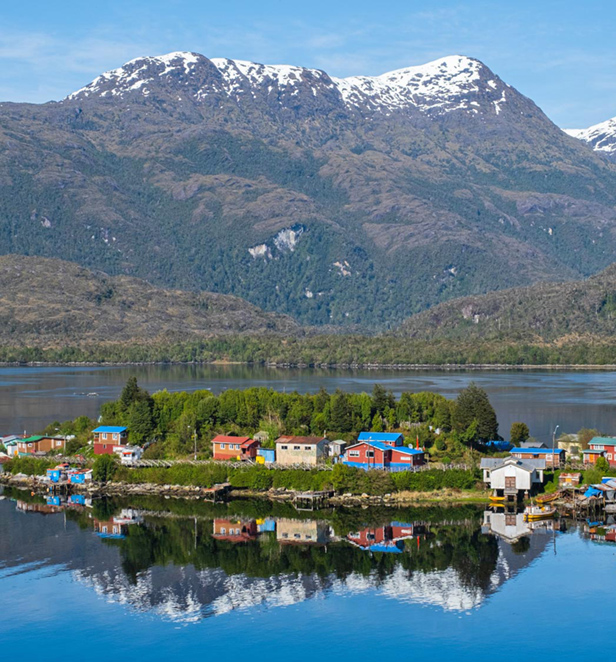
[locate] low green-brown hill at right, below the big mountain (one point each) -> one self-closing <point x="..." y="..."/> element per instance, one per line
<point x="543" y="312"/>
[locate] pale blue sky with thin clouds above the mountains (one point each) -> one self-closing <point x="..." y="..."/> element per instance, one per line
<point x="561" y="54"/>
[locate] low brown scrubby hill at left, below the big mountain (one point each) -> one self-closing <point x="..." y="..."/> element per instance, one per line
<point x="45" y="302"/>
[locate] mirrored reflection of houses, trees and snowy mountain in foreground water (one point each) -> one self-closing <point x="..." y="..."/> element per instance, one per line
<point x="183" y="561"/>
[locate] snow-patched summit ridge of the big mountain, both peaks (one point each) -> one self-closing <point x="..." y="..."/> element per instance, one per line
<point x="445" y="85"/>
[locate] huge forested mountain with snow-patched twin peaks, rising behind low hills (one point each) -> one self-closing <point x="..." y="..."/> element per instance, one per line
<point x="338" y="201"/>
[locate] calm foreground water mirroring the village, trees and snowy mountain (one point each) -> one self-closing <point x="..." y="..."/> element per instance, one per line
<point x="183" y="580"/>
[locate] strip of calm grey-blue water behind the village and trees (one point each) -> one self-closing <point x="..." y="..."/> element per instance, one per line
<point x="30" y="398"/>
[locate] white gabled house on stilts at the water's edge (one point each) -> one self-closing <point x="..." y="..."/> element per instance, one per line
<point x="511" y="476"/>
